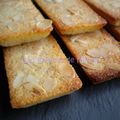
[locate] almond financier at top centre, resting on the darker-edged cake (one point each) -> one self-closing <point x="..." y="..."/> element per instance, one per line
<point x="71" y="16"/>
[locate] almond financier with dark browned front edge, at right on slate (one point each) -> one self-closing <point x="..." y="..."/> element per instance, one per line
<point x="98" y="53"/>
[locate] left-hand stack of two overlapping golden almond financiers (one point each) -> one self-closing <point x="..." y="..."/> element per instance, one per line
<point x="36" y="71"/>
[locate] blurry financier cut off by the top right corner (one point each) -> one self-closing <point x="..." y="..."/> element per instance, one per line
<point x="109" y="9"/>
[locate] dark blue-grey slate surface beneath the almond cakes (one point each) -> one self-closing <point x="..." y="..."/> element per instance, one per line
<point x="92" y="102"/>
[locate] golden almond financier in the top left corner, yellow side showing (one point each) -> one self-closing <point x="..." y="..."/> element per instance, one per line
<point x="21" y="22"/>
